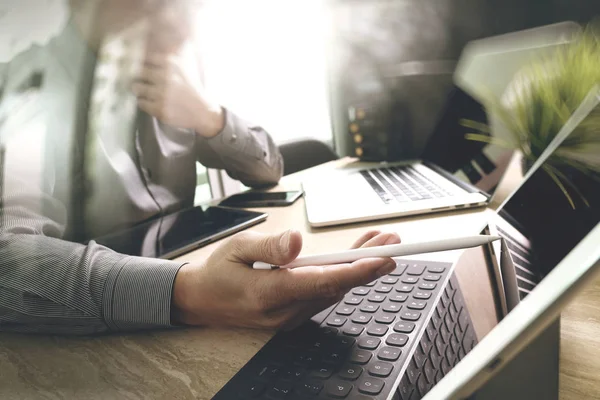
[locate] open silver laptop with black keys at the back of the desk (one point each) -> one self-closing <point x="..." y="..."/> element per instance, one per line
<point x="453" y="172"/>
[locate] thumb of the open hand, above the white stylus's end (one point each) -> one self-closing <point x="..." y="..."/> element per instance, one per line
<point x="279" y="249"/>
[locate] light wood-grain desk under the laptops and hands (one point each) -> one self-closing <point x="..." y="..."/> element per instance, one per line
<point x="196" y="363"/>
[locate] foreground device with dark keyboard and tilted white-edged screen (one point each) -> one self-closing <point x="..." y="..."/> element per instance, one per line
<point x="433" y="329"/>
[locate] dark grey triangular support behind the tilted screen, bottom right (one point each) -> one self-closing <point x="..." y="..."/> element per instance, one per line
<point x="533" y="374"/>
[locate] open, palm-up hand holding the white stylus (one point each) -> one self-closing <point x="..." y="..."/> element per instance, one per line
<point x="225" y="290"/>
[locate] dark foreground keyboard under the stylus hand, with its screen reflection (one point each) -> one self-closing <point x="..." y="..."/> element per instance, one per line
<point x="358" y="348"/>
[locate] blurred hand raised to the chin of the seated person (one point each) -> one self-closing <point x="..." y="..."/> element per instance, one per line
<point x="167" y="92"/>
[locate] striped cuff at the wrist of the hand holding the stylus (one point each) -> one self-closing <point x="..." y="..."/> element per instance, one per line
<point x="138" y="292"/>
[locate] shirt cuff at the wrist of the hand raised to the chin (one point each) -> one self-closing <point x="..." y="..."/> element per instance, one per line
<point x="234" y="136"/>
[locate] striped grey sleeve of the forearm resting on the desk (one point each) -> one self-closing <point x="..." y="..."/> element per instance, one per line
<point x="52" y="286"/>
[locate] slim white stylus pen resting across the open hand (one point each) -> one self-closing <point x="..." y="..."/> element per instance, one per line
<point x="394" y="250"/>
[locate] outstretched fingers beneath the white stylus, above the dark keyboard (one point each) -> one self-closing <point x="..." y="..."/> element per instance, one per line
<point x="308" y="283"/>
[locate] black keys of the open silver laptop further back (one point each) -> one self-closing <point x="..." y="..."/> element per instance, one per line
<point x="402" y="184"/>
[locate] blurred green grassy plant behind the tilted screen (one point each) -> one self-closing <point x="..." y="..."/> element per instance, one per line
<point x="541" y="99"/>
